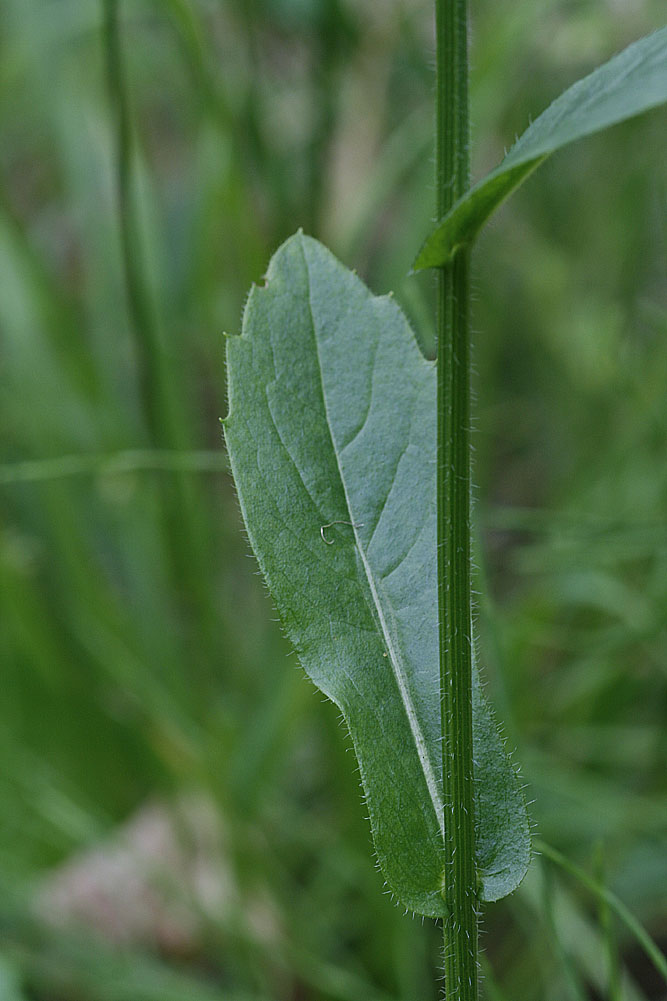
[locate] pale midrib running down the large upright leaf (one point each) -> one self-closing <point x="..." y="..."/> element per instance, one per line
<point x="394" y="655"/>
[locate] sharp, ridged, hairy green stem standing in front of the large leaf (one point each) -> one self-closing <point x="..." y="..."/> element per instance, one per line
<point x="454" y="500"/>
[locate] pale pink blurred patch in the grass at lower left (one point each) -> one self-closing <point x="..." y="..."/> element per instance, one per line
<point x="160" y="880"/>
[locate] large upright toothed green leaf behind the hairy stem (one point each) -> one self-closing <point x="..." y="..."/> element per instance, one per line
<point x="332" y="439"/>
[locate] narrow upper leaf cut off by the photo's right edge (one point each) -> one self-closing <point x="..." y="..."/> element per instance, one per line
<point x="631" y="83"/>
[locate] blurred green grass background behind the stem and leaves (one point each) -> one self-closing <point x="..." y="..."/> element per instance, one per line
<point x="180" y="811"/>
